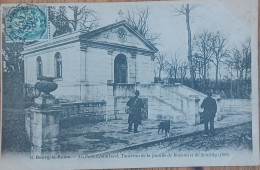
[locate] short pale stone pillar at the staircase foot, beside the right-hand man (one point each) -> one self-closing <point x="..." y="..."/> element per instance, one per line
<point x="193" y="116"/>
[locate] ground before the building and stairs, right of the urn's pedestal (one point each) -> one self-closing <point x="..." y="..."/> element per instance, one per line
<point x="233" y="131"/>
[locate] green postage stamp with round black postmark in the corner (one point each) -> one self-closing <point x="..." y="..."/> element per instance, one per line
<point x="25" y="23"/>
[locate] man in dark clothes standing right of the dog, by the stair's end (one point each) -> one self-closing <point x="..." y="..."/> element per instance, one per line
<point x="210" y="108"/>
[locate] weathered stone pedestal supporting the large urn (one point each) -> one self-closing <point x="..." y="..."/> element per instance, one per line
<point x="42" y="125"/>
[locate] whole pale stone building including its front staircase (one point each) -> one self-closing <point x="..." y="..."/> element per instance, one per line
<point x="108" y="65"/>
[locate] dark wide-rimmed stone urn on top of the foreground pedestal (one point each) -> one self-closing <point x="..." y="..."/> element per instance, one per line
<point x="46" y="85"/>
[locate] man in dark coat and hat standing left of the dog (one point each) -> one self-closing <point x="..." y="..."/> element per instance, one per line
<point x="135" y="116"/>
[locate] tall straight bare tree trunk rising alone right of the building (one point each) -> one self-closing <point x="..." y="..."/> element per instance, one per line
<point x="189" y="45"/>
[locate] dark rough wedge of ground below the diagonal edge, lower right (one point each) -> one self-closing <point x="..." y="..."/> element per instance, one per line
<point x="236" y="137"/>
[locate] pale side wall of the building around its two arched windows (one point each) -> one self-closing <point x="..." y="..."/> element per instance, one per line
<point x="70" y="63"/>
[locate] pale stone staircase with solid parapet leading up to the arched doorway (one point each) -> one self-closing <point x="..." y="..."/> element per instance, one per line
<point x="177" y="103"/>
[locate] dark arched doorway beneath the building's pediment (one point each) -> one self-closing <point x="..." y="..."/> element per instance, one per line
<point x="120" y="69"/>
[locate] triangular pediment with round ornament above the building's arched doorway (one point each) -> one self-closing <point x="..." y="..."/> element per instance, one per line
<point x="119" y="34"/>
